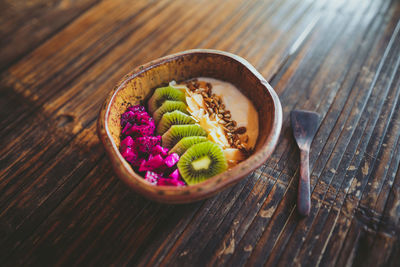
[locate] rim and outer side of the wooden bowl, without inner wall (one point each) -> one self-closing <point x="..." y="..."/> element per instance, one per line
<point x="209" y="187"/>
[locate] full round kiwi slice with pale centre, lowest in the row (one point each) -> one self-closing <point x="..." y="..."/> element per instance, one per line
<point x="202" y="161"/>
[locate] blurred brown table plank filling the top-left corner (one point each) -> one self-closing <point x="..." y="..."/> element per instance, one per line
<point x="26" y="24"/>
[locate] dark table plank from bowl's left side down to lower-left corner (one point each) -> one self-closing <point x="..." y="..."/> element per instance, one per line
<point x="22" y="216"/>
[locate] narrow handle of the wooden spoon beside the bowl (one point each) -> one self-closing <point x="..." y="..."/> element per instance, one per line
<point x="303" y="197"/>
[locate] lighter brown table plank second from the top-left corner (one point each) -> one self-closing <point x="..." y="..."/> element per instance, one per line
<point x="37" y="83"/>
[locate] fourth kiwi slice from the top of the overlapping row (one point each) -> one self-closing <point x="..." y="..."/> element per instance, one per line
<point x="176" y="132"/>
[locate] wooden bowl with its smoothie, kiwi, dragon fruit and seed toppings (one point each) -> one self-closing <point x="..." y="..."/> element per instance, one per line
<point x="186" y="126"/>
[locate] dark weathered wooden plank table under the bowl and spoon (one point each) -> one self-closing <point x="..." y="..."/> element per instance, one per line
<point x="60" y="202"/>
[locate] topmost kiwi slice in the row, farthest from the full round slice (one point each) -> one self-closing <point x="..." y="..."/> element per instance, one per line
<point x="162" y="94"/>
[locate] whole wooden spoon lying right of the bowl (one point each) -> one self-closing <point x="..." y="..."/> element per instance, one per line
<point x="304" y="125"/>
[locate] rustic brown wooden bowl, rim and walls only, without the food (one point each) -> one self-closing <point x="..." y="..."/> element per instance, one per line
<point x="138" y="85"/>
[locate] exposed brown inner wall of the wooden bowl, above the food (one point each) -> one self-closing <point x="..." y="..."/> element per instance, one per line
<point x="138" y="87"/>
